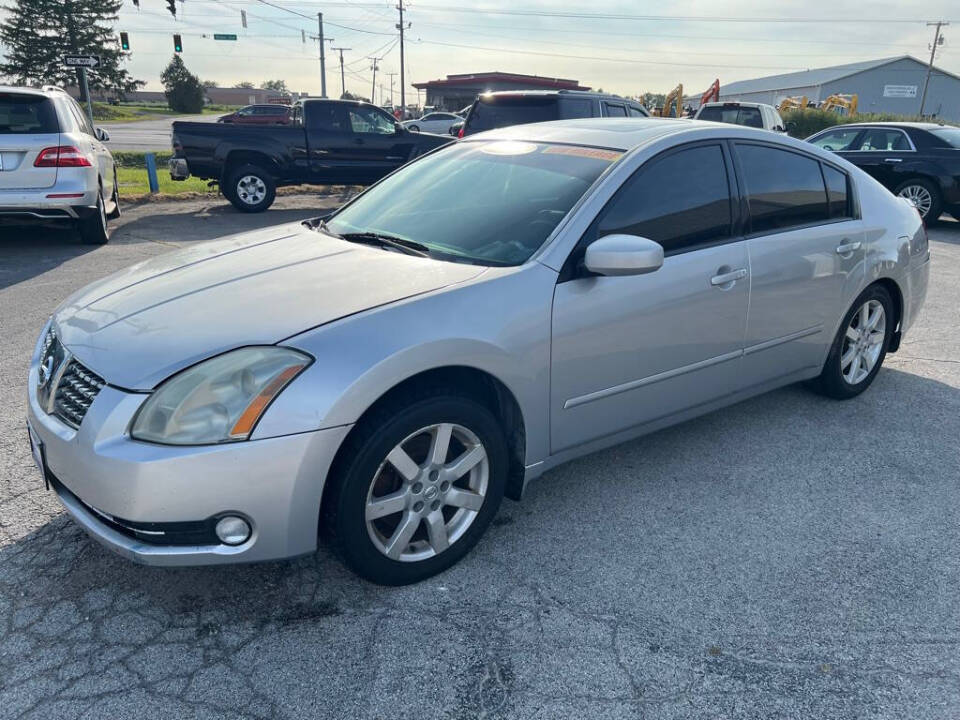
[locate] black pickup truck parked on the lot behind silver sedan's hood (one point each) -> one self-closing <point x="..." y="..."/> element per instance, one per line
<point x="341" y="142"/>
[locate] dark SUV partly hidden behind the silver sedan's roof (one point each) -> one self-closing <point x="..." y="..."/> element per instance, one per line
<point x="502" y="109"/>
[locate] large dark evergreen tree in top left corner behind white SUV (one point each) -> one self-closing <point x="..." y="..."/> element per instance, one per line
<point x="37" y="34"/>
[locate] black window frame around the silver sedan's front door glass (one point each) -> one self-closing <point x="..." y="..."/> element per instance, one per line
<point x="572" y="270"/>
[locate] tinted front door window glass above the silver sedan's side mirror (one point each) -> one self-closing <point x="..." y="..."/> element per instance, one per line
<point x="679" y="200"/>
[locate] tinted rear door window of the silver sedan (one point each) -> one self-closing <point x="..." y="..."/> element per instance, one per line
<point x="783" y="189"/>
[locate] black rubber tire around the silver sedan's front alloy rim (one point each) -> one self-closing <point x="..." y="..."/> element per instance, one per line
<point x="344" y="508"/>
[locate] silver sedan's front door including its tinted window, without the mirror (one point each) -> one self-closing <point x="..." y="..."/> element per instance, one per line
<point x="632" y="350"/>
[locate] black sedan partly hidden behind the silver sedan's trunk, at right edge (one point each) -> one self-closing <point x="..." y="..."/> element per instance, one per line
<point x="918" y="161"/>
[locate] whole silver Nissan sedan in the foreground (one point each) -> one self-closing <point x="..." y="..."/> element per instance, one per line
<point x="388" y="373"/>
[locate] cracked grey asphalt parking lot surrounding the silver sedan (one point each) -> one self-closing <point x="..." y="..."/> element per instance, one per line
<point x="789" y="557"/>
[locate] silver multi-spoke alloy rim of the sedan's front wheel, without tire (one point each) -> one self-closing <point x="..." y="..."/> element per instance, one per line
<point x="427" y="492"/>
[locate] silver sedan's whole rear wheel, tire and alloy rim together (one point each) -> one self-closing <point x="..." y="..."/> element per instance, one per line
<point x="860" y="347"/>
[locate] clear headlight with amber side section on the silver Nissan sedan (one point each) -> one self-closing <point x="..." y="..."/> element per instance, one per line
<point x="219" y="400"/>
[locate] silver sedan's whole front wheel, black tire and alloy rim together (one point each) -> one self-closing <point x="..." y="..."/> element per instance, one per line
<point x="419" y="486"/>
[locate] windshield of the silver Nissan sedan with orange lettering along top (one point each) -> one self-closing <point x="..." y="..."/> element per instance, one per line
<point x="491" y="203"/>
